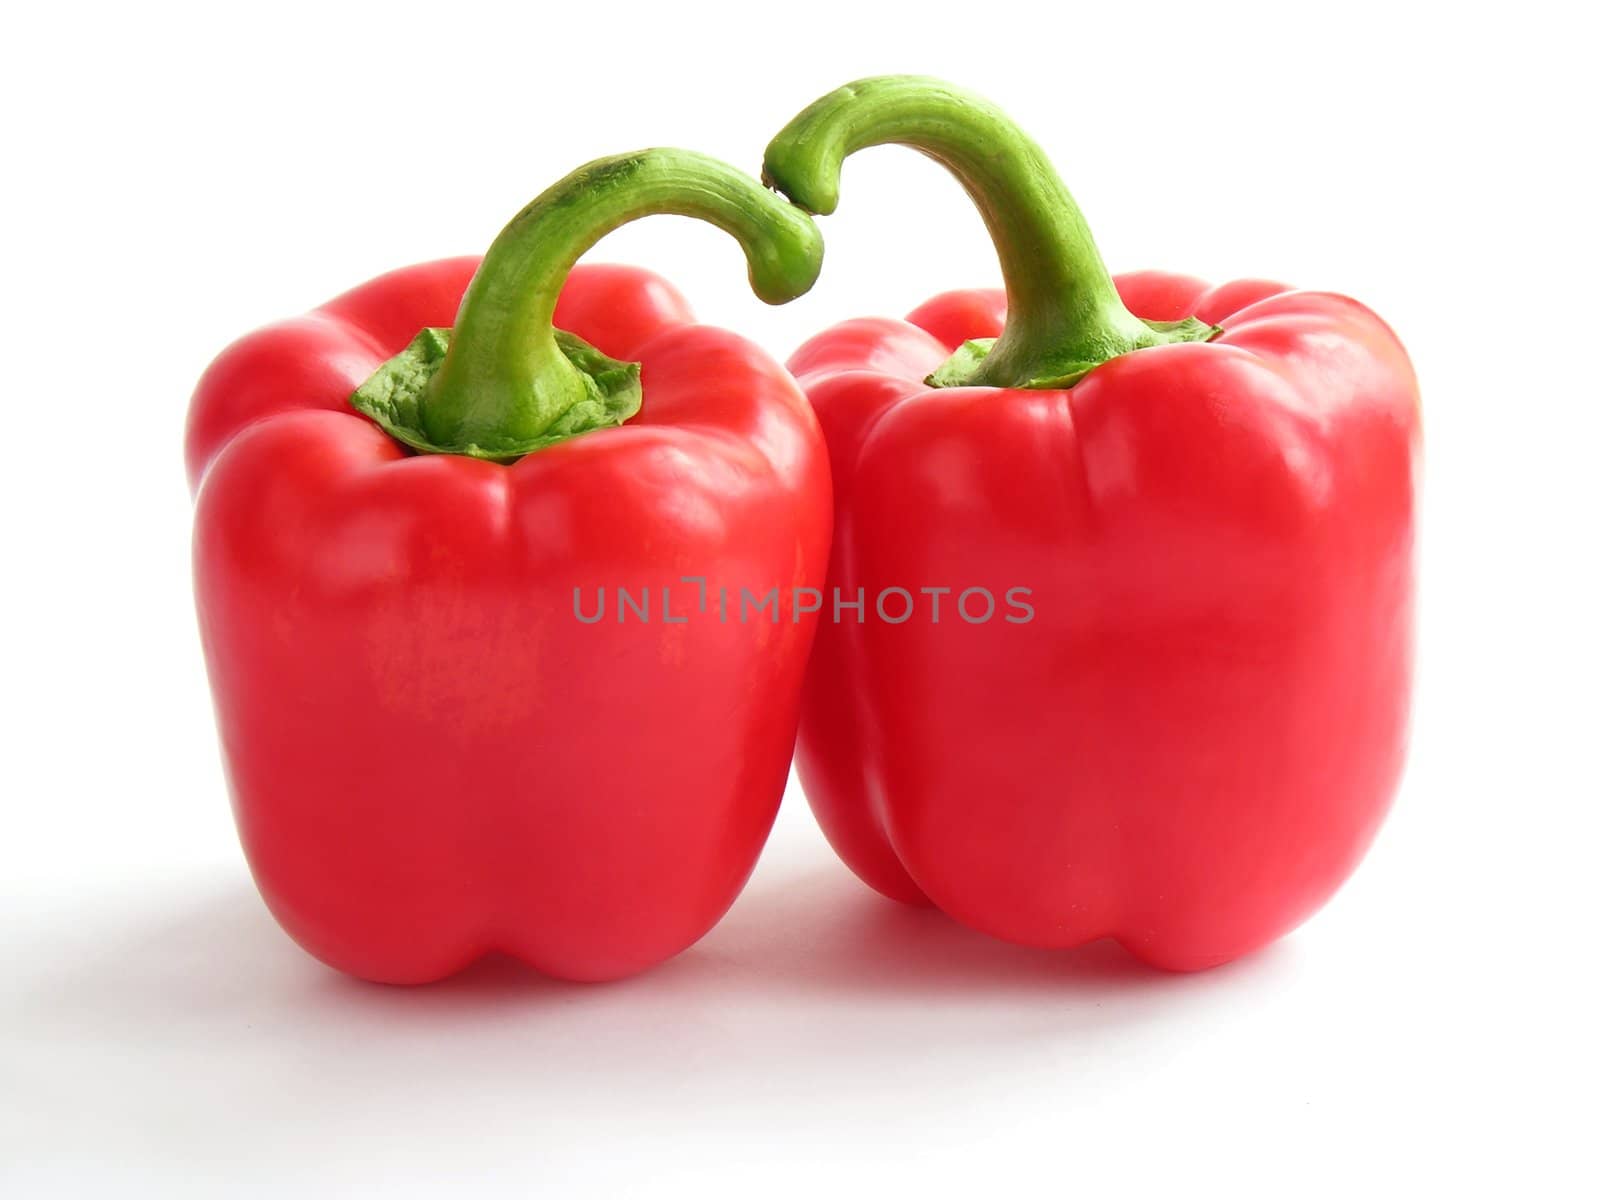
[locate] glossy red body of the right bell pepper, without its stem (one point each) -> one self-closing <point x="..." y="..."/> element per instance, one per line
<point x="1194" y="742"/>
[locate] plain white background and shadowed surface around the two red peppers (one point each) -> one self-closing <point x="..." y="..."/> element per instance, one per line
<point x="178" y="177"/>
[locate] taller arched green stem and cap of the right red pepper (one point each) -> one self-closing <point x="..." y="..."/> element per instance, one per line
<point x="1065" y="318"/>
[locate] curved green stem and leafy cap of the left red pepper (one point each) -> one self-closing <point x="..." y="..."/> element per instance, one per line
<point x="506" y="382"/>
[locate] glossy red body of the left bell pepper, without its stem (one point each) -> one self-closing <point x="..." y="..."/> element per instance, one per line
<point x="430" y="756"/>
